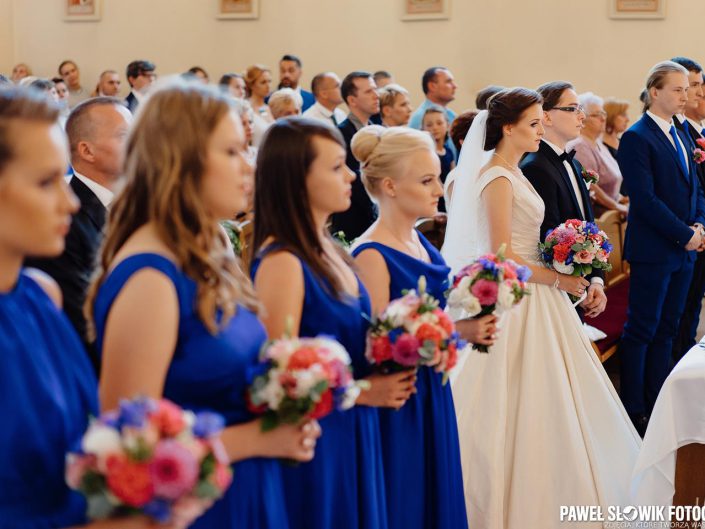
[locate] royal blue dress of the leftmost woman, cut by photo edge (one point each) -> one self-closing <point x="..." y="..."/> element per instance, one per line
<point x="48" y="392"/>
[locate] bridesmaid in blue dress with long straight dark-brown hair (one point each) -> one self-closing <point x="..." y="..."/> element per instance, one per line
<point x="308" y="287"/>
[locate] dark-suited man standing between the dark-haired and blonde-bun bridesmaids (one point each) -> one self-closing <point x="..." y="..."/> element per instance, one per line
<point x="360" y="94"/>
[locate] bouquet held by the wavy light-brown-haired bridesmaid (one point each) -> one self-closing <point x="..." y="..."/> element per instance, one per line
<point x="301" y="378"/>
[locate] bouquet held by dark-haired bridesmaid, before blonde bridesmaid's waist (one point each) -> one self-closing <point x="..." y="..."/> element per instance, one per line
<point x="413" y="331"/>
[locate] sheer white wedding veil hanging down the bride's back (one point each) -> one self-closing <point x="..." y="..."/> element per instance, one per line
<point x="464" y="239"/>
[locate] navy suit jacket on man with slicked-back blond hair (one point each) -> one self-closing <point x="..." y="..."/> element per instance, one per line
<point x="664" y="200"/>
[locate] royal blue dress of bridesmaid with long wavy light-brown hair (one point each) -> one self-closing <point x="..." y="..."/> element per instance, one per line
<point x="208" y="372"/>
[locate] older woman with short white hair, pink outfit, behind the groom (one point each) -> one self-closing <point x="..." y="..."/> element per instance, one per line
<point x="594" y="156"/>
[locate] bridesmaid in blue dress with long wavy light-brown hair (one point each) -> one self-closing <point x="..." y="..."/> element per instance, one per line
<point x="173" y="313"/>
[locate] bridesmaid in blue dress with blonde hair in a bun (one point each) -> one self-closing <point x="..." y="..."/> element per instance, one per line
<point x="423" y="477"/>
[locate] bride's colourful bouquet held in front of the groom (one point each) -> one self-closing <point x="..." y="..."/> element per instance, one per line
<point x="576" y="248"/>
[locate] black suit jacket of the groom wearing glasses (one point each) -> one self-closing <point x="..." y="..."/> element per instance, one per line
<point x="546" y="172"/>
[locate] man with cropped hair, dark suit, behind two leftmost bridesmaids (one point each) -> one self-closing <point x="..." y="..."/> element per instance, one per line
<point x="97" y="132"/>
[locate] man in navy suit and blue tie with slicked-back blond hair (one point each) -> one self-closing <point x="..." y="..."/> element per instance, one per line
<point x="664" y="230"/>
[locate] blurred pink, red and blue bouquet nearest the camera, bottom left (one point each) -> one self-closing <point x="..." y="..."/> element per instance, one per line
<point x="149" y="457"/>
